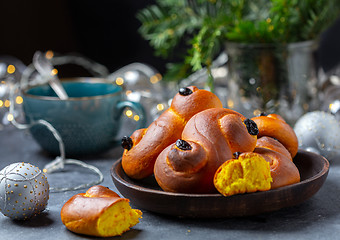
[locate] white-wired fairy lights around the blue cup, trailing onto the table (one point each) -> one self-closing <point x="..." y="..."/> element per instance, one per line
<point x="12" y="82"/>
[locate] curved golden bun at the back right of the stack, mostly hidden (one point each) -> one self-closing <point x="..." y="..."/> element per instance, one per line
<point x="274" y="126"/>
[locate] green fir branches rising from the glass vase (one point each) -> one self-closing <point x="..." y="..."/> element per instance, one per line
<point x="203" y="26"/>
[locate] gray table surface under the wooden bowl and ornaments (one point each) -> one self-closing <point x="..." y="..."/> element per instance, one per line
<point x="316" y="218"/>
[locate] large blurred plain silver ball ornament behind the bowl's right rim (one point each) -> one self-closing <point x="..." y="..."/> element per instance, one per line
<point x="319" y="132"/>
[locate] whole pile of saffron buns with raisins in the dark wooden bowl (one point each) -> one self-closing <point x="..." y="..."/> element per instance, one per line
<point x="197" y="146"/>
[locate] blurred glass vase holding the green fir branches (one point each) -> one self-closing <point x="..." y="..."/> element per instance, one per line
<point x="272" y="78"/>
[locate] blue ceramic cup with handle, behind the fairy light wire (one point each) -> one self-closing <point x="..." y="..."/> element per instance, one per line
<point x="88" y="121"/>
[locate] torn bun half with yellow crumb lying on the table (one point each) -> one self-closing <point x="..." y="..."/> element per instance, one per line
<point x="99" y="212"/>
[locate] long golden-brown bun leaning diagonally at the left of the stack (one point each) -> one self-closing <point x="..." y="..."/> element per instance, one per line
<point x="138" y="162"/>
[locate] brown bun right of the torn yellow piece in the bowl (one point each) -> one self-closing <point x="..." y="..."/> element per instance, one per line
<point x="283" y="170"/>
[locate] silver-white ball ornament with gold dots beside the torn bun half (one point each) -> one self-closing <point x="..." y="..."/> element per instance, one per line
<point x="24" y="191"/>
